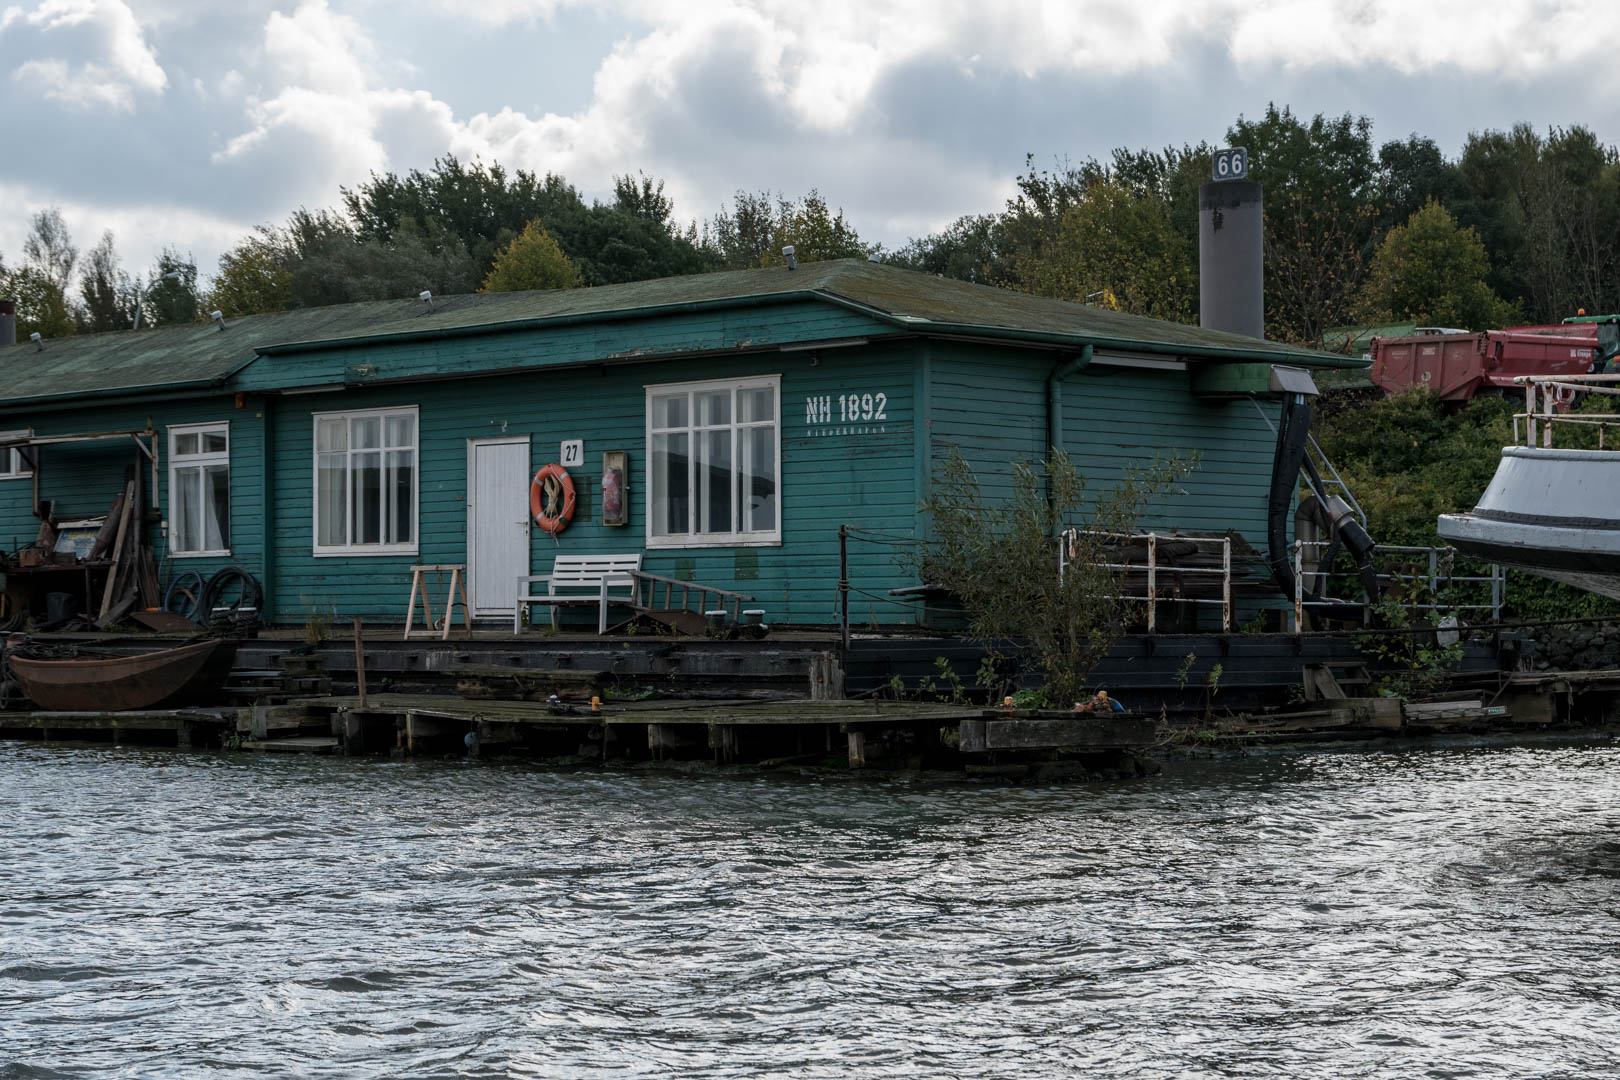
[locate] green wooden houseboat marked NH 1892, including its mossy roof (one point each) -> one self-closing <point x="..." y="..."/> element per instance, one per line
<point x="330" y="451"/>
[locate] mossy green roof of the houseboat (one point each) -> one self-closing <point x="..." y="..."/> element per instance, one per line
<point x="202" y="355"/>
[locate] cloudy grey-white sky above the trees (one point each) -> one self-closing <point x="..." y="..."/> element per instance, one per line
<point x="189" y="122"/>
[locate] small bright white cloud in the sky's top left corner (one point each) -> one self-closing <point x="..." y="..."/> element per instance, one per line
<point x="109" y="59"/>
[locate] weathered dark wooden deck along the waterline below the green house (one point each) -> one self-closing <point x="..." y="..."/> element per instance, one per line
<point x="503" y="708"/>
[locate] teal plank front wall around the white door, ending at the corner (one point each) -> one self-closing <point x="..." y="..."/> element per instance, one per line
<point x="832" y="474"/>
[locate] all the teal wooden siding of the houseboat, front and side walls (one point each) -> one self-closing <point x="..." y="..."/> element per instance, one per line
<point x="589" y="381"/>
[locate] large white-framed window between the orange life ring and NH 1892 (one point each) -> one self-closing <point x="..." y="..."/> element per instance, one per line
<point x="714" y="464"/>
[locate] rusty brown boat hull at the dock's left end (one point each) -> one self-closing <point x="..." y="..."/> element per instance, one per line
<point x="117" y="684"/>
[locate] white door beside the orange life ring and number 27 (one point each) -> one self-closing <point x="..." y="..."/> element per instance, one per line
<point x="497" y="524"/>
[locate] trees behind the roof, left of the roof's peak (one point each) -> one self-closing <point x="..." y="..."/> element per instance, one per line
<point x="451" y="229"/>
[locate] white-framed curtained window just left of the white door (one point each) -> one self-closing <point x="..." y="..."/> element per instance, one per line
<point x="365" y="483"/>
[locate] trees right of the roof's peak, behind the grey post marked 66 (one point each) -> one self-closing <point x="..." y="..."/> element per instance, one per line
<point x="1520" y="227"/>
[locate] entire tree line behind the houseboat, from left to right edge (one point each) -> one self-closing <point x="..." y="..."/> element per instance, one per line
<point x="1519" y="227"/>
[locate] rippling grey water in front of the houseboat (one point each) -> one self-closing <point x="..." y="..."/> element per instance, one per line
<point x="1431" y="914"/>
